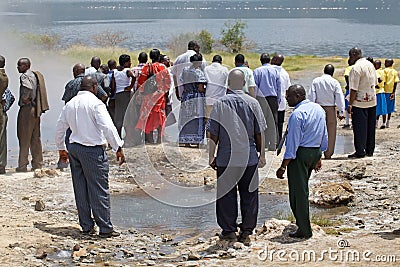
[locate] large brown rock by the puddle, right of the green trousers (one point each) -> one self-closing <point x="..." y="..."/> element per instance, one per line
<point x="332" y="194"/>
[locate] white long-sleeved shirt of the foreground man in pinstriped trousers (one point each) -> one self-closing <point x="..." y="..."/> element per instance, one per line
<point x="89" y="121"/>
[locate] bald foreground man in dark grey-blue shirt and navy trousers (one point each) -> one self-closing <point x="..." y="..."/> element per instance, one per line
<point x="236" y="124"/>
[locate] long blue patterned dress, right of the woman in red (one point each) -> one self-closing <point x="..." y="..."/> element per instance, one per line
<point x="192" y="111"/>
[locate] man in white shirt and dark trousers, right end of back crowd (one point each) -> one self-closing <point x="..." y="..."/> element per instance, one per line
<point x="276" y="62"/>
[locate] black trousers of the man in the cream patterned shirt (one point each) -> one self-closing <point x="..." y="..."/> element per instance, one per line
<point x="364" y="123"/>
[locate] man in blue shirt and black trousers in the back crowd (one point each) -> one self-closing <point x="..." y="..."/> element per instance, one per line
<point x="268" y="83"/>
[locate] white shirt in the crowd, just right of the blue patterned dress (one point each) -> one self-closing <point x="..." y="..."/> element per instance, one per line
<point x="216" y="76"/>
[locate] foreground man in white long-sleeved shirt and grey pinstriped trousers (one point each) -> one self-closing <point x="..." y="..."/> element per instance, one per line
<point x="91" y="128"/>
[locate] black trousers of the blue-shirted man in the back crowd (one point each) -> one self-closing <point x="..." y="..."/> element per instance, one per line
<point x="269" y="106"/>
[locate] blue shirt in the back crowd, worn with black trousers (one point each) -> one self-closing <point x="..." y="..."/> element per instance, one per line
<point x="268" y="81"/>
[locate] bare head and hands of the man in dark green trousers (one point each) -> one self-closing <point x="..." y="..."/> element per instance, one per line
<point x="294" y="95"/>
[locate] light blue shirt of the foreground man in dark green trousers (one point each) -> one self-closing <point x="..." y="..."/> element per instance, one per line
<point x="306" y="128"/>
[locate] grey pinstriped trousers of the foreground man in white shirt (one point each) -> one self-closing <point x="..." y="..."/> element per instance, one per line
<point x="89" y="169"/>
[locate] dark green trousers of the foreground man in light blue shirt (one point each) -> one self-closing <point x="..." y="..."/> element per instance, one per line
<point x="299" y="171"/>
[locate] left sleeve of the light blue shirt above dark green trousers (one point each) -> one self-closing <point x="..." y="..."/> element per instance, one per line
<point x="294" y="136"/>
